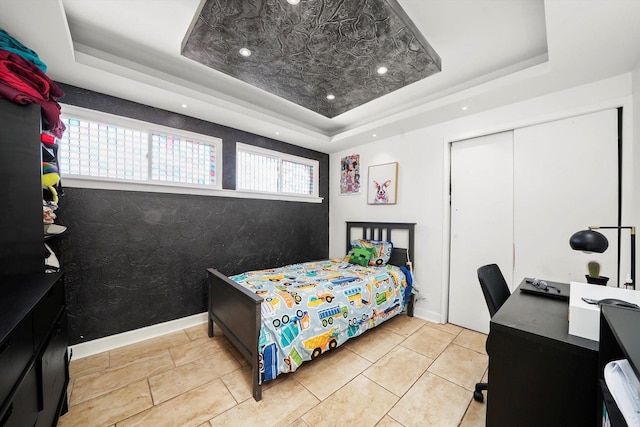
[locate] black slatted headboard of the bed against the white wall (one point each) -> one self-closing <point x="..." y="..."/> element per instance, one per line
<point x="383" y="231"/>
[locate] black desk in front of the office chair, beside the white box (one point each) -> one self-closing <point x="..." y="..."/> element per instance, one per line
<point x="539" y="375"/>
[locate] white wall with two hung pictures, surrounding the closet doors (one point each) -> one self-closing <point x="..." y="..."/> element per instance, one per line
<point x="423" y="176"/>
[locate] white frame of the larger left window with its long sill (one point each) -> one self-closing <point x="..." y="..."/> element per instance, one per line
<point x="166" y="187"/>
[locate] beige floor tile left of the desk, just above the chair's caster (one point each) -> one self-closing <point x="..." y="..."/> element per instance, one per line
<point x="460" y="365"/>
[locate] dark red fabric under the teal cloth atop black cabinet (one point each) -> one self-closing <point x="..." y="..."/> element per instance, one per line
<point x="23" y="82"/>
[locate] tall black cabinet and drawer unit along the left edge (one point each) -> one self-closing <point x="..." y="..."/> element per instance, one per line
<point x="34" y="368"/>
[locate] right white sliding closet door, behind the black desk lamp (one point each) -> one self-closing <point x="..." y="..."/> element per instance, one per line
<point x="565" y="179"/>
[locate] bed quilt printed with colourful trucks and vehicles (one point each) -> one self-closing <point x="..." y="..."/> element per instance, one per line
<point x="313" y="307"/>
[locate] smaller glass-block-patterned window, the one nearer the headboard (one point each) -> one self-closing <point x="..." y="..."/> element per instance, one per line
<point x="263" y="170"/>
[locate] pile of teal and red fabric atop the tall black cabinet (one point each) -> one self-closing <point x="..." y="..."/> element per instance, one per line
<point x="23" y="81"/>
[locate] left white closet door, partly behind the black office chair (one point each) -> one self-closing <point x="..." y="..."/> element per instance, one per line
<point x="481" y="222"/>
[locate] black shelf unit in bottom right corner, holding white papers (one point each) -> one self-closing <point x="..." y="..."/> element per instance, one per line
<point x="619" y="339"/>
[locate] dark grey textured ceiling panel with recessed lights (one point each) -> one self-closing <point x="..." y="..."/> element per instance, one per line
<point x="307" y="51"/>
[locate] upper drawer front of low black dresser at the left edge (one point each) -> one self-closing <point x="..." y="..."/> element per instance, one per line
<point x="15" y="352"/>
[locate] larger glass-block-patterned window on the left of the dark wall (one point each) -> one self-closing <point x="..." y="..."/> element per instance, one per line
<point x="101" y="146"/>
